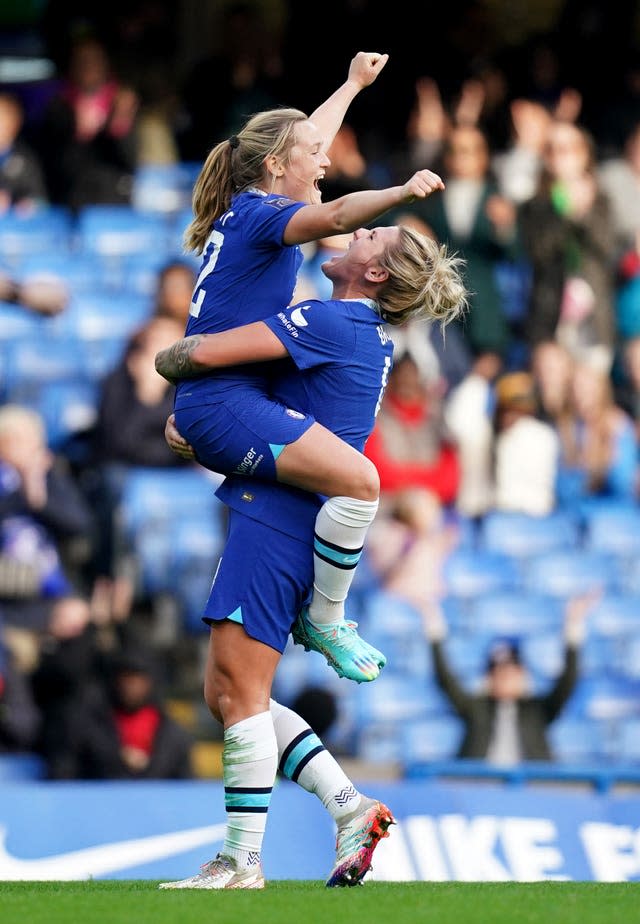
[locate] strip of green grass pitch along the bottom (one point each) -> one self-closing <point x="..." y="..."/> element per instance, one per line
<point x="140" y="902"/>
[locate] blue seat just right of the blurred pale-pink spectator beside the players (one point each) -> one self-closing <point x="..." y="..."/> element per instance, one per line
<point x="468" y="573"/>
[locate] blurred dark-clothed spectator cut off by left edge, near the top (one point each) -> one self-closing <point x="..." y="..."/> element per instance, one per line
<point x="22" y="185"/>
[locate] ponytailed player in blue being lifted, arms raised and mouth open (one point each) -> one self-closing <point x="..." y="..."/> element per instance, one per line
<point x="256" y="200"/>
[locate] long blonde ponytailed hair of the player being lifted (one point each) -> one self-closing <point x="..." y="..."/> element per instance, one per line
<point x="237" y="164"/>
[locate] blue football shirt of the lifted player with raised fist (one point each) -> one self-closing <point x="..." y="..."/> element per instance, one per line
<point x="246" y="274"/>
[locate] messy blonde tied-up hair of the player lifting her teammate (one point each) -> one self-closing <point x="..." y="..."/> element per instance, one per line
<point x="424" y="281"/>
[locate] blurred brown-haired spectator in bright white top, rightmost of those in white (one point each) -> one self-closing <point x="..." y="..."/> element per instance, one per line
<point x="526" y="449"/>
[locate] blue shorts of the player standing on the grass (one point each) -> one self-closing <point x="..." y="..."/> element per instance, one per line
<point x="263" y="579"/>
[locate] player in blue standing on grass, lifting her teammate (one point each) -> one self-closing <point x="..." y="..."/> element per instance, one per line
<point x="340" y="357"/>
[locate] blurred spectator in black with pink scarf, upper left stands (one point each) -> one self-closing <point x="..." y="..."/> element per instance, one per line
<point x="90" y="125"/>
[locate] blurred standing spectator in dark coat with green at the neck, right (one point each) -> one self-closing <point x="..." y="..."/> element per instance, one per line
<point x="569" y="240"/>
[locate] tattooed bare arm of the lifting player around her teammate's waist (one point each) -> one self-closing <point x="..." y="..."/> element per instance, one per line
<point x="200" y="353"/>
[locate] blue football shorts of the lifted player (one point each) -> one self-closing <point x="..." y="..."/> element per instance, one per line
<point x="243" y="437"/>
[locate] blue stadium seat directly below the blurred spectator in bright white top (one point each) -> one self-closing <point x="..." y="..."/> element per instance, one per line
<point x="521" y="535"/>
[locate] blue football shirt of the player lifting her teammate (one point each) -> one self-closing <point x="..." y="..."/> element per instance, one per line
<point x="343" y="356"/>
